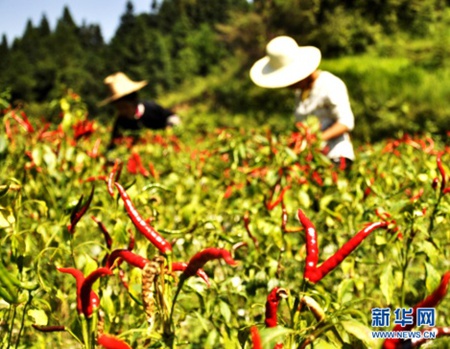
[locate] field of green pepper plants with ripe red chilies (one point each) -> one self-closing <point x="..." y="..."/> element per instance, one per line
<point x="259" y="217"/>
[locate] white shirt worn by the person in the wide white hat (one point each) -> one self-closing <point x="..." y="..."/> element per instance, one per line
<point x="328" y="100"/>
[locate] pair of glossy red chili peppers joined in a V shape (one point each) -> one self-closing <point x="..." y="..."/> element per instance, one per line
<point x="313" y="273"/>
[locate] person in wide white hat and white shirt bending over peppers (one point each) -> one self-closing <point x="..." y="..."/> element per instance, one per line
<point x="318" y="93"/>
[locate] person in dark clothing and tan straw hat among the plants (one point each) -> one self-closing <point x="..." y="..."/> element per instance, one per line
<point x="134" y="114"/>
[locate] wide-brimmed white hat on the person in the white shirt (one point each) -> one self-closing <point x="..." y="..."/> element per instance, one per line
<point x="285" y="63"/>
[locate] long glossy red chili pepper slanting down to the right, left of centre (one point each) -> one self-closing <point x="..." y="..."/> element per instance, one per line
<point x="144" y="228"/>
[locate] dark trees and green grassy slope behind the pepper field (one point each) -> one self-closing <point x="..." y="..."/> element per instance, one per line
<point x="392" y="55"/>
